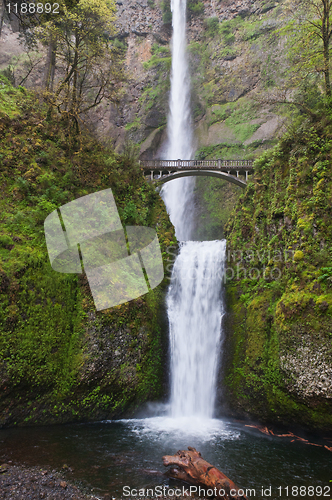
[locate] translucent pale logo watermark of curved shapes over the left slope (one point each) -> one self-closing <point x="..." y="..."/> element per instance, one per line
<point x="120" y="262"/>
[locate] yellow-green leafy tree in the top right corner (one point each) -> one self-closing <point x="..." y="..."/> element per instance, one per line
<point x="307" y="36"/>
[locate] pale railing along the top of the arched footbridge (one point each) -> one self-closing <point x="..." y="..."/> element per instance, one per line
<point x="197" y="164"/>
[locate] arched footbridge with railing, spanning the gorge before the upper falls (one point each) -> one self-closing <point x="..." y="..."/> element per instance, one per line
<point x="161" y="171"/>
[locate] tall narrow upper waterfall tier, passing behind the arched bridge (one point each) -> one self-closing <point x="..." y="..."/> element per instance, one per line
<point x="178" y="194"/>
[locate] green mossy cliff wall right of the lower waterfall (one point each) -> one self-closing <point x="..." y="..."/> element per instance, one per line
<point x="280" y="238"/>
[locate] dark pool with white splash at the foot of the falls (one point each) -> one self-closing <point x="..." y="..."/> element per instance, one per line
<point x="110" y="455"/>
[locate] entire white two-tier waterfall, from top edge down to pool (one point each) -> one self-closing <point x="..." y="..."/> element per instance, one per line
<point x="194" y="299"/>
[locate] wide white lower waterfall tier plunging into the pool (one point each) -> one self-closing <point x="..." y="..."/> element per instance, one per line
<point x="195" y="310"/>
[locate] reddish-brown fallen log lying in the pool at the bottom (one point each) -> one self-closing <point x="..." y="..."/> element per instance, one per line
<point x="191" y="467"/>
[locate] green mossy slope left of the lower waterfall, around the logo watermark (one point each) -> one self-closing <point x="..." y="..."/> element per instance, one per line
<point x="47" y="319"/>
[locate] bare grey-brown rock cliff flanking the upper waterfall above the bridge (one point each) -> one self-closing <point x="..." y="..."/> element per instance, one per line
<point x="232" y="56"/>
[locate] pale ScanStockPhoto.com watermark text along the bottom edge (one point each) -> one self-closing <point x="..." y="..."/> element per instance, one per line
<point x="163" y="490"/>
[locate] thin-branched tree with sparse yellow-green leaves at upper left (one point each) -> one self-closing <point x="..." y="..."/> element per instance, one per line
<point x="88" y="63"/>
